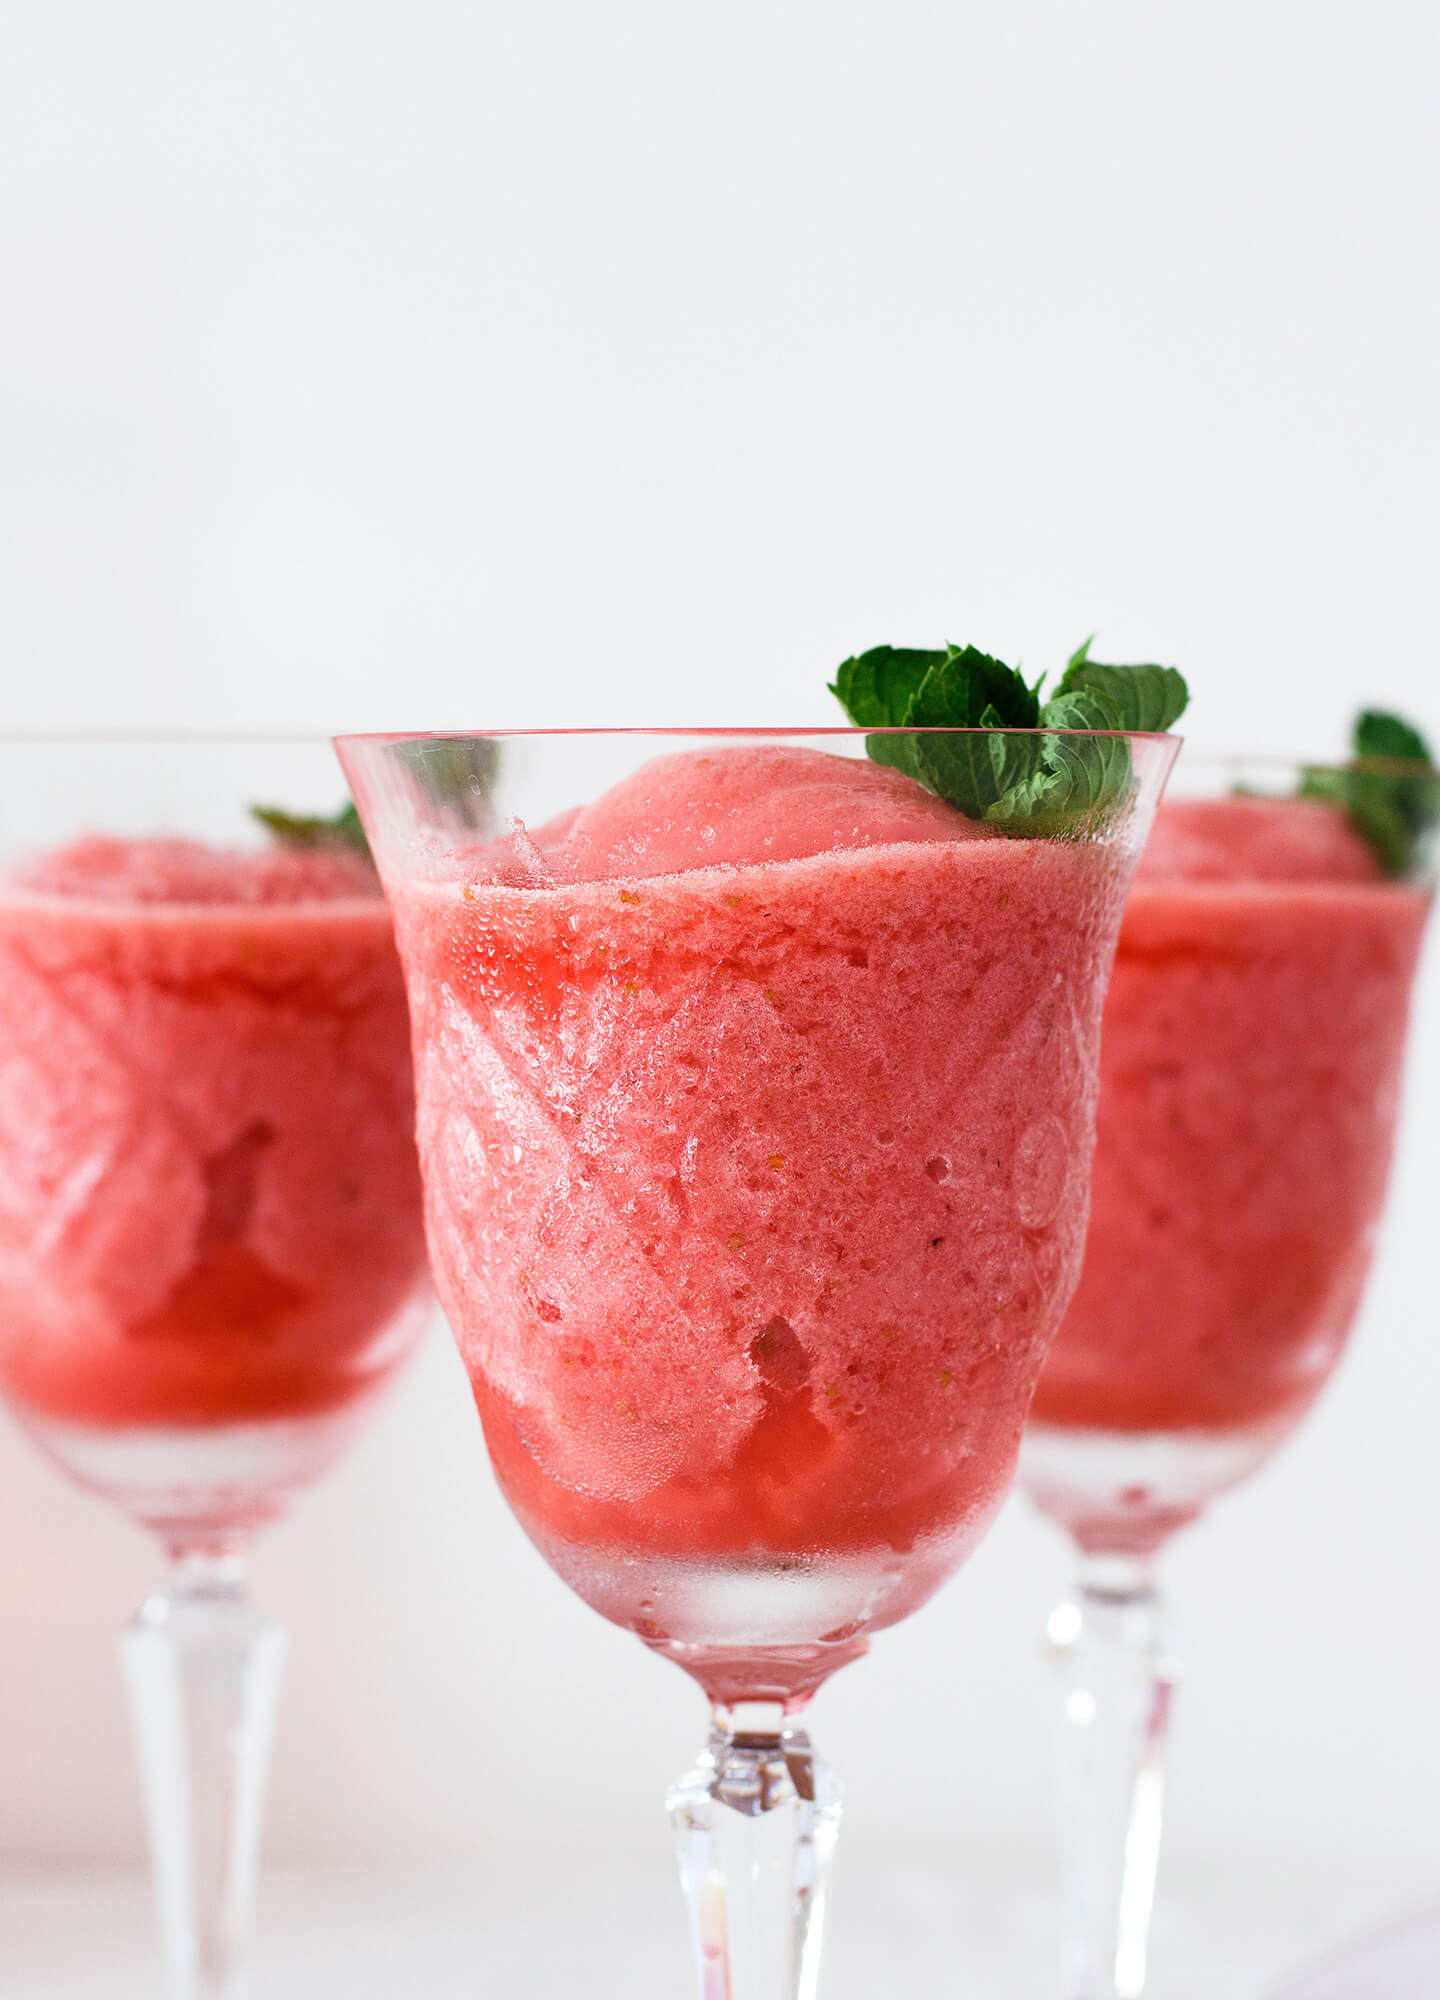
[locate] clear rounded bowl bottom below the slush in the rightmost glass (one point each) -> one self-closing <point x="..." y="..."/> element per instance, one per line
<point x="1127" y="1491"/>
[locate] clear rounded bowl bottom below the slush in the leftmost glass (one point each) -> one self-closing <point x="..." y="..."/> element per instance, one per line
<point x="209" y="1483"/>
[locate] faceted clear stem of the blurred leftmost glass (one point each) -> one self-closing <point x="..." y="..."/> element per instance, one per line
<point x="203" y="1671"/>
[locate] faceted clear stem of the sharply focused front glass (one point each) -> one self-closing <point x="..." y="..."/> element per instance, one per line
<point x="755" y="1827"/>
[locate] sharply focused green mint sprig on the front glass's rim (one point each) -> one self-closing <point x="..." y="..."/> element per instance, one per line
<point x="1039" y="783"/>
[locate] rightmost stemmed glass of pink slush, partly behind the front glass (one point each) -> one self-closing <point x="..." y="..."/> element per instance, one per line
<point x="1249" y="1085"/>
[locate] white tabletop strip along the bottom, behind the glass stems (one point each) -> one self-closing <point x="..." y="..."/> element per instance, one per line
<point x="591" y="1931"/>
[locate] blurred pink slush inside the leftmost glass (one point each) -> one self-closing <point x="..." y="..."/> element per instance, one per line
<point x="209" y="1191"/>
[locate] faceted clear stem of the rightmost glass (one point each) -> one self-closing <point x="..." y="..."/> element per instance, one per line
<point x="1119" y="1673"/>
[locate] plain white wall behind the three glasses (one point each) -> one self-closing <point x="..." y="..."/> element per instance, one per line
<point x="555" y="363"/>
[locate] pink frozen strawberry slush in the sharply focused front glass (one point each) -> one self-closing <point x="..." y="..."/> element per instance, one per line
<point x="757" y="1111"/>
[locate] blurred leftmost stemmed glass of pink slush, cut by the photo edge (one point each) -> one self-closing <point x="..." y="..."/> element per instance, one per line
<point x="211" y="1237"/>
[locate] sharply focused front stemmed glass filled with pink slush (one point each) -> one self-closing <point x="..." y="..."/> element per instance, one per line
<point x="755" y="1105"/>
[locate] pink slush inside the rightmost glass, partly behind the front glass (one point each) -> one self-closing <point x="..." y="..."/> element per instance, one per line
<point x="1251" y="1069"/>
